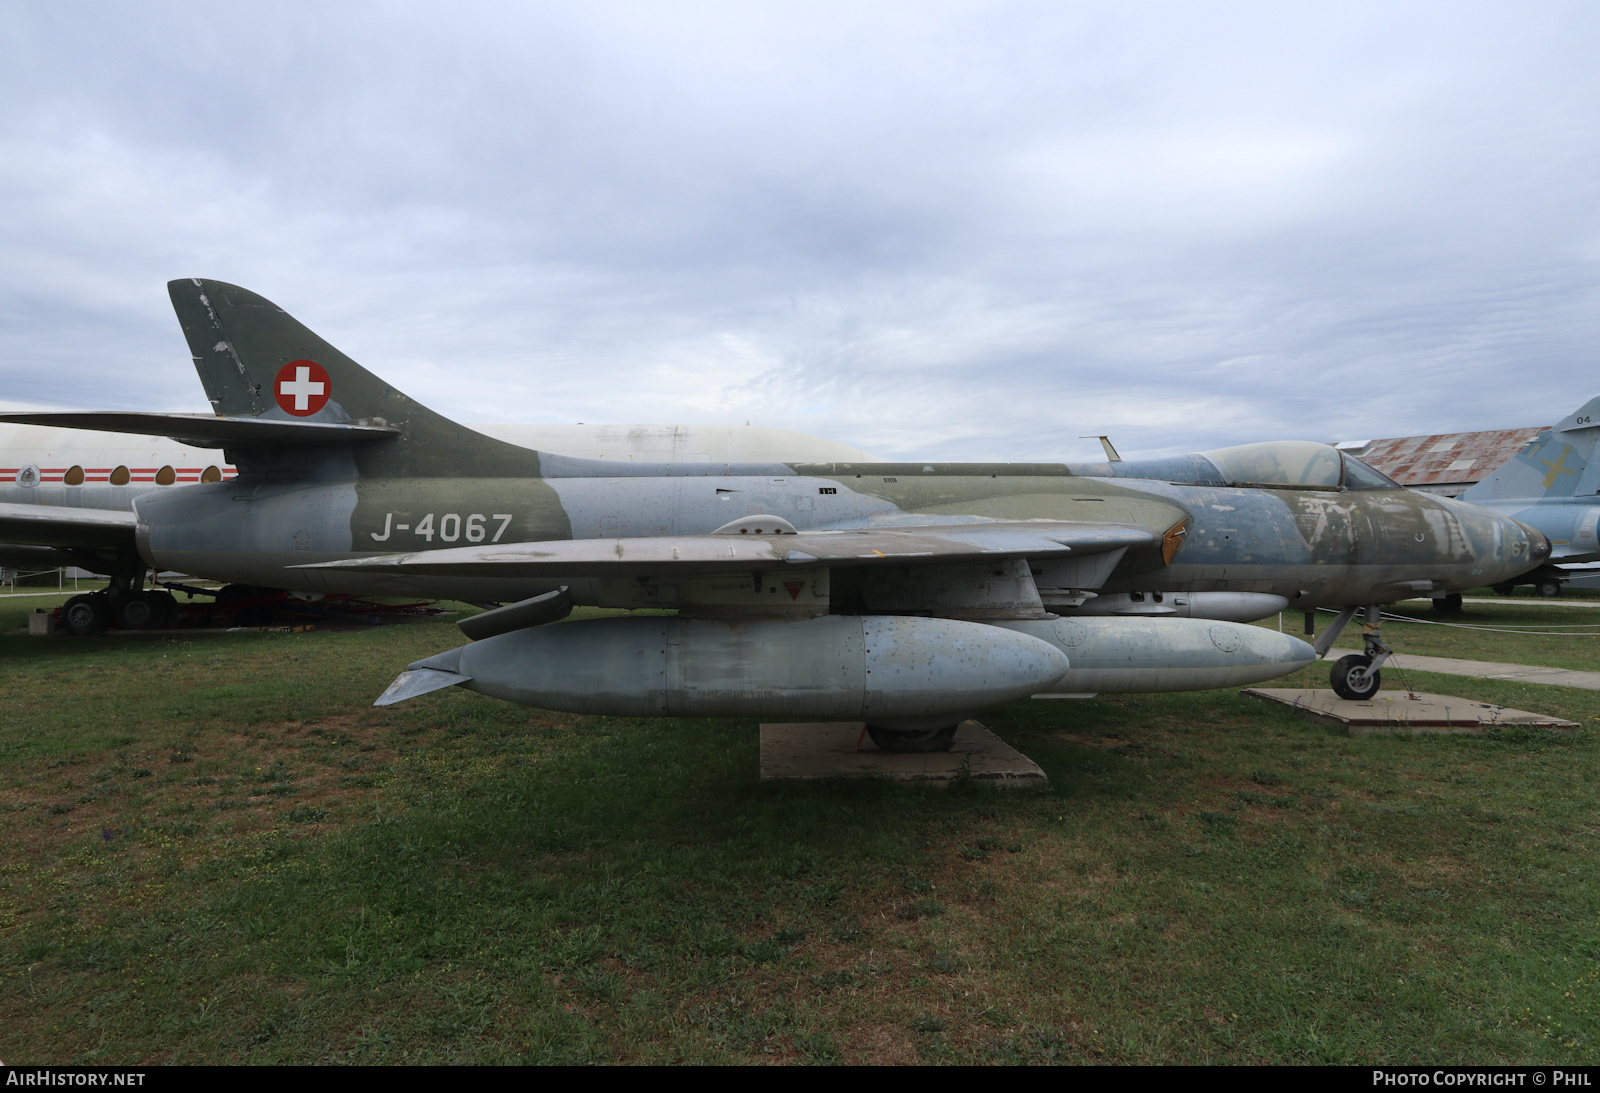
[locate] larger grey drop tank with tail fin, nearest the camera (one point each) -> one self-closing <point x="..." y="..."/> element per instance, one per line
<point x="894" y="673"/>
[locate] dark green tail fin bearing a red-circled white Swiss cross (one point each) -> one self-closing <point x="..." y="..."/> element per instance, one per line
<point x="258" y="361"/>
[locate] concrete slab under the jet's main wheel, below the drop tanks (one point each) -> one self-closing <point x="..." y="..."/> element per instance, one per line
<point x="812" y="751"/>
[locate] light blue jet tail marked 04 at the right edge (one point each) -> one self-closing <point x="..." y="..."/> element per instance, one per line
<point x="1553" y="486"/>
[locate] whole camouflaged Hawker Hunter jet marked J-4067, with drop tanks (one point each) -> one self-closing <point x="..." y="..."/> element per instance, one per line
<point x="902" y="595"/>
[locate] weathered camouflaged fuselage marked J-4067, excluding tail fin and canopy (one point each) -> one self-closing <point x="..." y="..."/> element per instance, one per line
<point x="1311" y="546"/>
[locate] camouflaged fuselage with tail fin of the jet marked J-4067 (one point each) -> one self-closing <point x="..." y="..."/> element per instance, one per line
<point x="367" y="471"/>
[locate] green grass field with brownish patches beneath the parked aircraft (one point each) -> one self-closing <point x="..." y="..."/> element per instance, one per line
<point x="217" y="851"/>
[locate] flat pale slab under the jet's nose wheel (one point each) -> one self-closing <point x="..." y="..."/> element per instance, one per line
<point x="1407" y="713"/>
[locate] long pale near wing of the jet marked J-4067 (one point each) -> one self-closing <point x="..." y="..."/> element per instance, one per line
<point x="708" y="555"/>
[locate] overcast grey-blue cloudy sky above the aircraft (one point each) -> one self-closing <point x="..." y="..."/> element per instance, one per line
<point x="927" y="230"/>
